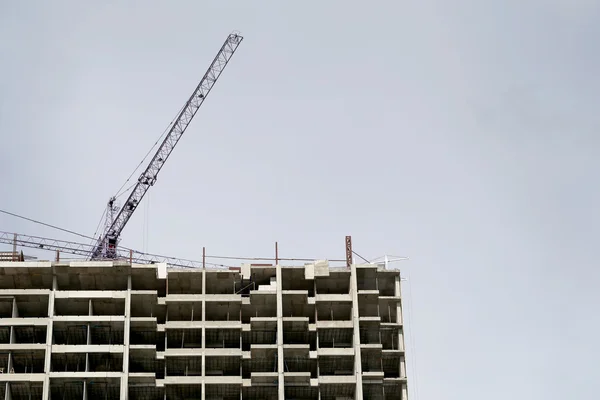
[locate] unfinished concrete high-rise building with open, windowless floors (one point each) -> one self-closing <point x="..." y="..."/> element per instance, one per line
<point x="112" y="330"/>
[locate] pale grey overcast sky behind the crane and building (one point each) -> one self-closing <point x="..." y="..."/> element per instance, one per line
<point x="463" y="134"/>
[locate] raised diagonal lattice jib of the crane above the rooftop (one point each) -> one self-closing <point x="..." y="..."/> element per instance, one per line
<point x="107" y="243"/>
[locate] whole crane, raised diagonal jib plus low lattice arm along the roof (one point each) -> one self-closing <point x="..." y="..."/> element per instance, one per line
<point x="117" y="217"/>
